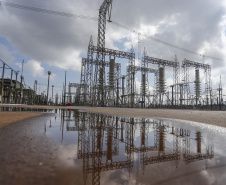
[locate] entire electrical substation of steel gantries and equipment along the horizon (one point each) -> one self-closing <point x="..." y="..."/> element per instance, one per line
<point x="104" y="84"/>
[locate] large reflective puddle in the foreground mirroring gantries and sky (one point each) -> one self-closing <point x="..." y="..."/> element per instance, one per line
<point x="124" y="150"/>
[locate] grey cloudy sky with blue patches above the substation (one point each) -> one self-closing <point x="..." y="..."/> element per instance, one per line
<point x="54" y="43"/>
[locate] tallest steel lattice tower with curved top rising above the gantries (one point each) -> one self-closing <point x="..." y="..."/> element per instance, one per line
<point x="99" y="77"/>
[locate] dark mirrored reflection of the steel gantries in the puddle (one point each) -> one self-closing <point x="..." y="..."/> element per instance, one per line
<point x="107" y="143"/>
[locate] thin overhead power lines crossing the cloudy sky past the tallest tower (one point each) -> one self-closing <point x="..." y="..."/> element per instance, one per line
<point x="70" y="15"/>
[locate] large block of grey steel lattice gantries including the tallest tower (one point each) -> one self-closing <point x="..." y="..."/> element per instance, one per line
<point x="102" y="83"/>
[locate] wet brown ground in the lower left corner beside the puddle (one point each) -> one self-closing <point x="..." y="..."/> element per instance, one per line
<point x="29" y="157"/>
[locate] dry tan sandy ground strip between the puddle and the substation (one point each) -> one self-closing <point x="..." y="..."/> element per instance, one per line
<point x="209" y="117"/>
